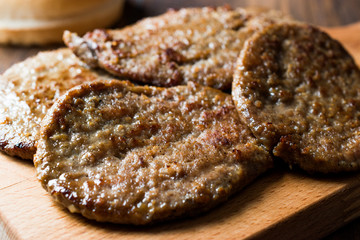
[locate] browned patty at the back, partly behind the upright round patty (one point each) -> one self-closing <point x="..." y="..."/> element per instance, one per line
<point x="191" y="44"/>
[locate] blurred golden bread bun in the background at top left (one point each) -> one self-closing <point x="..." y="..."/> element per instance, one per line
<point x="37" y="22"/>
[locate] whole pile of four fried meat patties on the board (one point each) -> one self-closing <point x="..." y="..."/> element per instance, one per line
<point x="114" y="151"/>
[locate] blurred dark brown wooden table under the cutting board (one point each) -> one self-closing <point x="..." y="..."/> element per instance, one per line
<point x="319" y="12"/>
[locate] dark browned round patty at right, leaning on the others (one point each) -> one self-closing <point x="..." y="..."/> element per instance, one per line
<point x="298" y="90"/>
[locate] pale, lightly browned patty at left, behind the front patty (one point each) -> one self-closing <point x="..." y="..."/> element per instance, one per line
<point x="27" y="91"/>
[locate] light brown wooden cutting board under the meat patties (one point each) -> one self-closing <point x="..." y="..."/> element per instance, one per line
<point x="279" y="205"/>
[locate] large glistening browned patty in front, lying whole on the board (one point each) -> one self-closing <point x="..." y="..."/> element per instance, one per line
<point x="121" y="153"/>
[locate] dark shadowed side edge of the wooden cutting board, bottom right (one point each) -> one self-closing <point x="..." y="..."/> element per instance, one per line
<point x="347" y="196"/>
